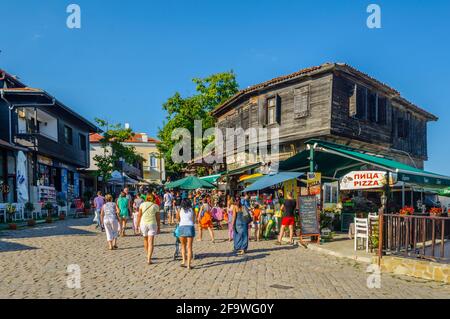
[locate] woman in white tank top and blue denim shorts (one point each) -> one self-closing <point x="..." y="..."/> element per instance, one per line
<point x="186" y="231"/>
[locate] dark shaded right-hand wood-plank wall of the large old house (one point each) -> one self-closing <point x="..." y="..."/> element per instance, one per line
<point x="384" y="137"/>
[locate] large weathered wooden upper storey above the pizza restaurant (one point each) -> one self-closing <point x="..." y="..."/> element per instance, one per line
<point x="333" y="102"/>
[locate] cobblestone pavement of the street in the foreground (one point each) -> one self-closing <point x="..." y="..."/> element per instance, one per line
<point x="33" y="264"/>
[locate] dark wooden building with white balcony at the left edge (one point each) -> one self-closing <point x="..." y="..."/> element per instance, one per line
<point x="54" y="138"/>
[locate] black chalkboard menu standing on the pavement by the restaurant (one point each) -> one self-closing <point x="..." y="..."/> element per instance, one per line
<point x="309" y="221"/>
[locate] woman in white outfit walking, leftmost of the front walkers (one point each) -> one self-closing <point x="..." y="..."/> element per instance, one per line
<point x="109" y="217"/>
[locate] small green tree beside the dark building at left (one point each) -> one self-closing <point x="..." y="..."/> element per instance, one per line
<point x="113" y="149"/>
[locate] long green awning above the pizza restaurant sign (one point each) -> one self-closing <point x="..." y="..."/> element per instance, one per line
<point x="335" y="160"/>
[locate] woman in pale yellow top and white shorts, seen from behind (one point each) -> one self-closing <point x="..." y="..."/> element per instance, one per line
<point x="149" y="223"/>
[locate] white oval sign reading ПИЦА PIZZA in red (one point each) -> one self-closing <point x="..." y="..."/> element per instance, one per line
<point x="365" y="180"/>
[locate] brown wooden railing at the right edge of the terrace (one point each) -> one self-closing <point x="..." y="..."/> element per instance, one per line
<point x="424" y="237"/>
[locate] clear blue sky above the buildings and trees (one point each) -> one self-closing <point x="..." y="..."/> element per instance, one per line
<point x="130" y="56"/>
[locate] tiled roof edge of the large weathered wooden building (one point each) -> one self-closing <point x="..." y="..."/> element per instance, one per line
<point x="318" y="69"/>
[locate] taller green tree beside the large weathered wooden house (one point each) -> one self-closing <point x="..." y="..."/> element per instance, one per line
<point x="183" y="111"/>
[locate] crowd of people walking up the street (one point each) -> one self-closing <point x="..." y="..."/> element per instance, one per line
<point x="192" y="213"/>
